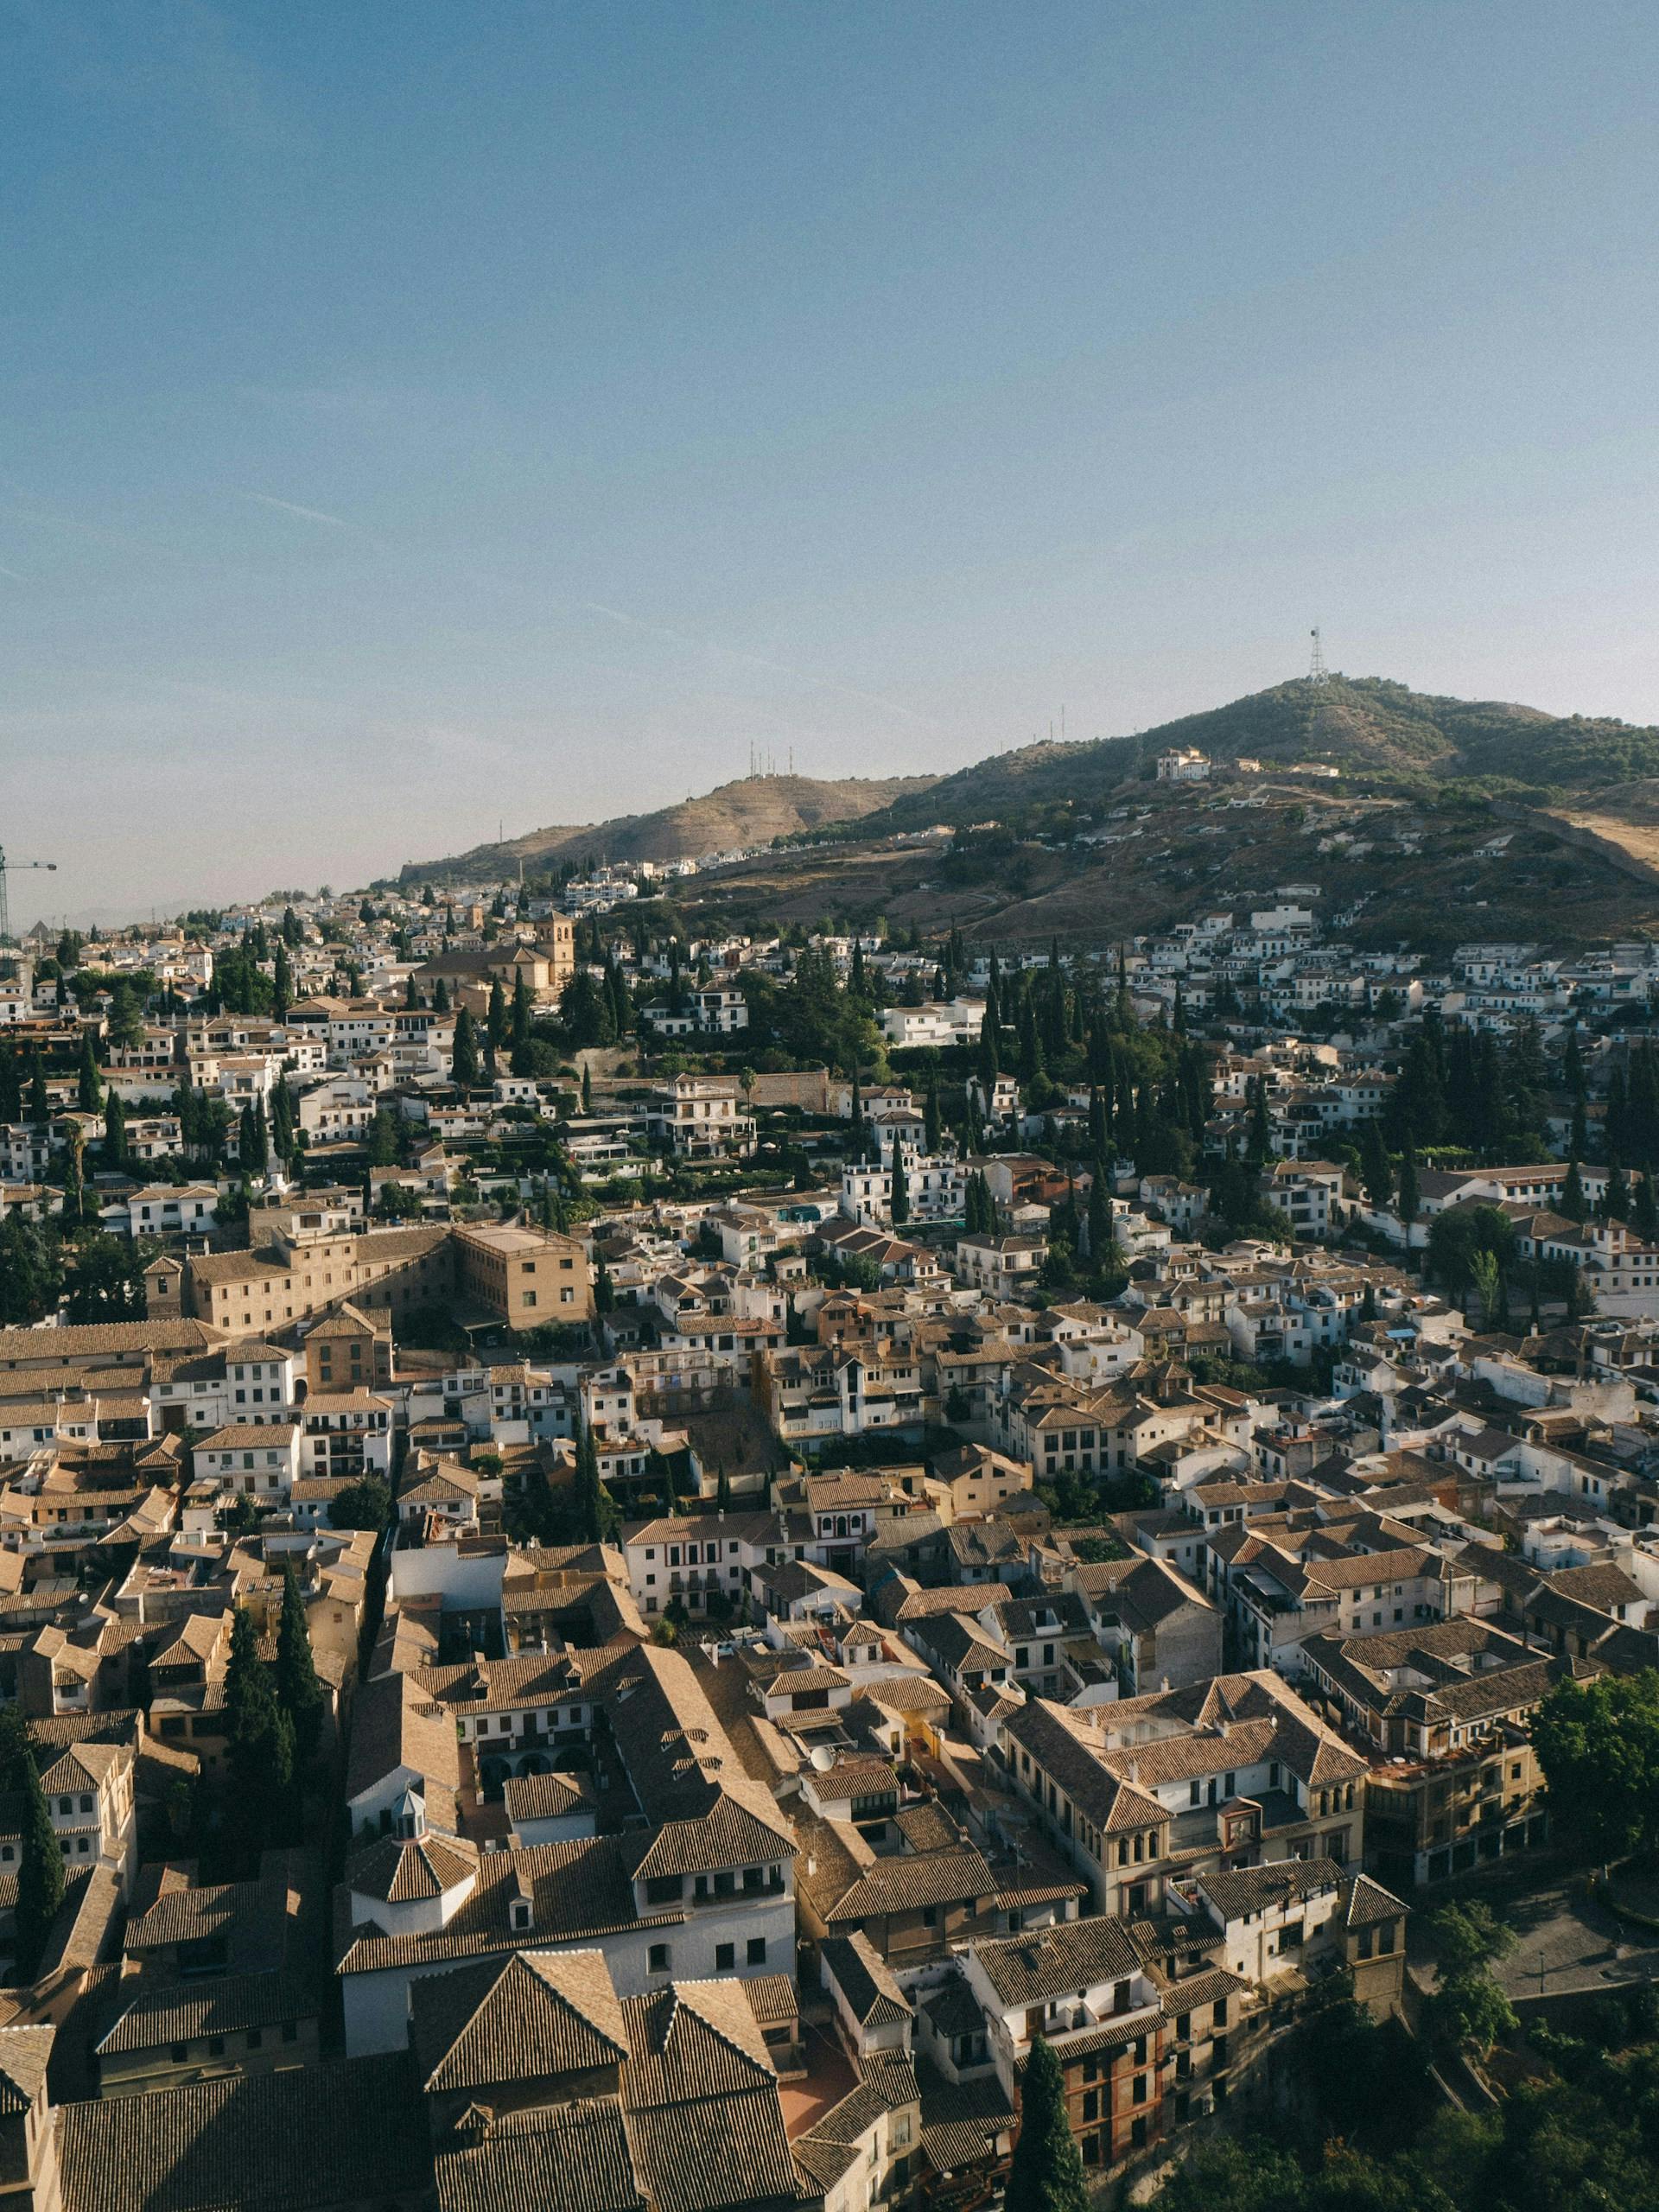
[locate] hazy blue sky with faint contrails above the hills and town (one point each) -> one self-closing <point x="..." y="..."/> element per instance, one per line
<point x="428" y="415"/>
